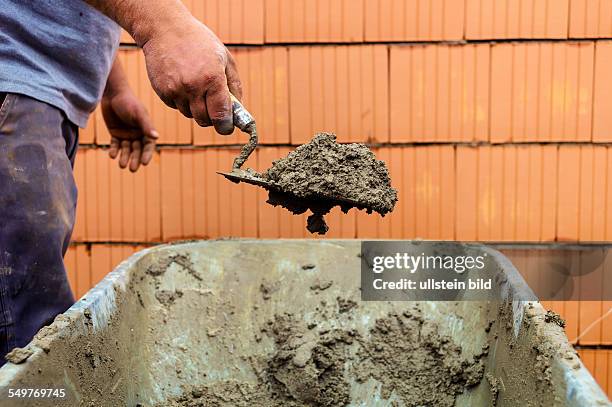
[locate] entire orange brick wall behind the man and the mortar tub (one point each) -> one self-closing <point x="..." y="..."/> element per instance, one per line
<point x="493" y="115"/>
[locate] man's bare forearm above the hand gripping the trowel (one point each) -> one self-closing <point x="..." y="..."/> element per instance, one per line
<point x="144" y="19"/>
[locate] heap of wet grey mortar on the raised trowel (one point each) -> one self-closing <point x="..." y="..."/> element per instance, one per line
<point x="323" y="174"/>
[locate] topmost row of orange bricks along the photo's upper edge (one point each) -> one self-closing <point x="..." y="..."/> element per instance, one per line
<point x="349" y="21"/>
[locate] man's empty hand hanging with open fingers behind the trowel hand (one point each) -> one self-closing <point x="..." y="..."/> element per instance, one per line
<point x="132" y="132"/>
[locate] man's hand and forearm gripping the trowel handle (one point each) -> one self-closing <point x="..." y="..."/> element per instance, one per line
<point x="189" y="67"/>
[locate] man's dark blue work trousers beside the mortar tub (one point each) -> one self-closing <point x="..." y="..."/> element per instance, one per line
<point x="37" y="209"/>
